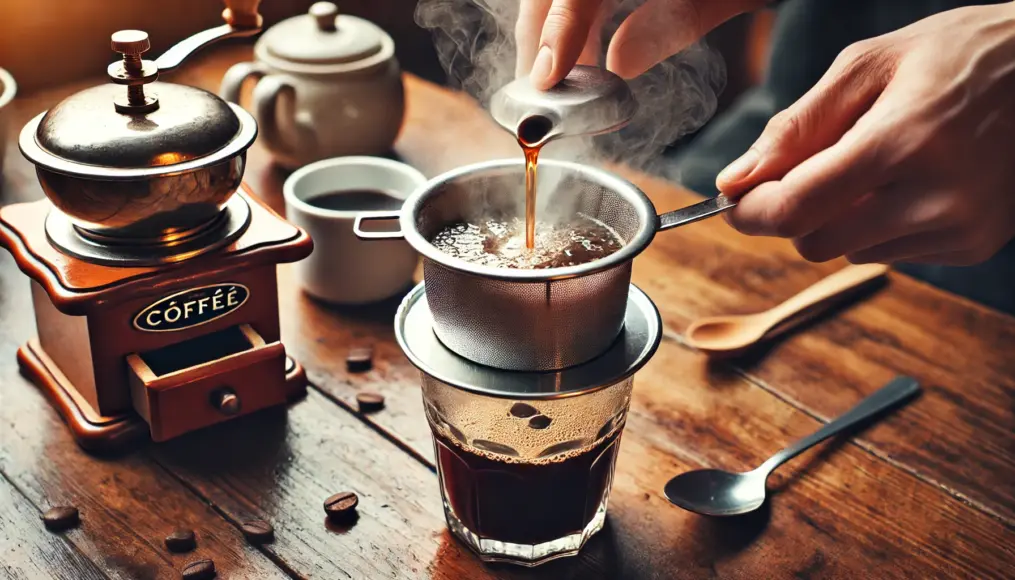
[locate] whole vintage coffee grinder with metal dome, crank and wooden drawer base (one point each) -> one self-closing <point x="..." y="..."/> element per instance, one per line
<point x="153" y="266"/>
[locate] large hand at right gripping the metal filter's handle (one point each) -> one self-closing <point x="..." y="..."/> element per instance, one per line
<point x="905" y="151"/>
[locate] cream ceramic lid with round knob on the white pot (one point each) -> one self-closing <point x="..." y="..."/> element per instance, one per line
<point x="324" y="37"/>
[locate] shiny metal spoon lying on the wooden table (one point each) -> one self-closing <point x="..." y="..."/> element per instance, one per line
<point x="718" y="493"/>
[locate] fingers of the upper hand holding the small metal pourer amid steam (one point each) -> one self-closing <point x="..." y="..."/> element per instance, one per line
<point x="554" y="36"/>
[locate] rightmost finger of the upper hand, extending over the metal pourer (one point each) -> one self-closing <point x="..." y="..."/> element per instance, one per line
<point x="661" y="29"/>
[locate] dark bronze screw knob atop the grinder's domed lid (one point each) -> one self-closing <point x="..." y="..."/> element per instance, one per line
<point x="133" y="72"/>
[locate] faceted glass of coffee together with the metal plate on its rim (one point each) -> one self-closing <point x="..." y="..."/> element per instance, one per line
<point x="526" y="460"/>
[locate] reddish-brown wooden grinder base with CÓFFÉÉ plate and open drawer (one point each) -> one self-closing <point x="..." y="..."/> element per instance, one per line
<point x="128" y="353"/>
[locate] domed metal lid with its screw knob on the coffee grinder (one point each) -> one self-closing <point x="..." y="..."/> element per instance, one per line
<point x="126" y="131"/>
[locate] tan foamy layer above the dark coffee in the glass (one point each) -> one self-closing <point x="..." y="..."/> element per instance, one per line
<point x="577" y="424"/>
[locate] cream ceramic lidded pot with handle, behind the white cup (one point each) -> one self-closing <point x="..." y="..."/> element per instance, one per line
<point x="329" y="86"/>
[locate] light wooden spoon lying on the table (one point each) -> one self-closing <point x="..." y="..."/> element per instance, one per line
<point x="733" y="335"/>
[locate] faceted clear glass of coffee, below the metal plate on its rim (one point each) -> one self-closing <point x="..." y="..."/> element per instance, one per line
<point x="525" y="481"/>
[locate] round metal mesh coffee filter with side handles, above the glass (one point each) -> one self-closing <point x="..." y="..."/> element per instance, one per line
<point x="525" y="319"/>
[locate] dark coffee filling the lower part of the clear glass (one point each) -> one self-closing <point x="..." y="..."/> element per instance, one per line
<point x="526" y="503"/>
